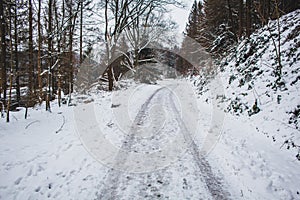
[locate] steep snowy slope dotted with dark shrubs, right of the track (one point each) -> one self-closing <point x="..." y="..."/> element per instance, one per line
<point x="254" y="90"/>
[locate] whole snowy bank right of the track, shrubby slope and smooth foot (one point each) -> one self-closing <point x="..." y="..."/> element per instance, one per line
<point x="260" y="144"/>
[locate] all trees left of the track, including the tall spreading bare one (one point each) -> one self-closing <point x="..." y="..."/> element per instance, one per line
<point x="43" y="42"/>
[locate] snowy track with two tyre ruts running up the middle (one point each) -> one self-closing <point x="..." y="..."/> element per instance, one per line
<point x="189" y="177"/>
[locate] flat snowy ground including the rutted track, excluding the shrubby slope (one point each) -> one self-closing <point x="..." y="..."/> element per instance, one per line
<point x="45" y="156"/>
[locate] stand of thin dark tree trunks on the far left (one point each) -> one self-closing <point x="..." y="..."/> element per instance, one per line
<point x="38" y="58"/>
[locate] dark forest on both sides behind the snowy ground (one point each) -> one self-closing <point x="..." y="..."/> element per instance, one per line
<point x="43" y="44"/>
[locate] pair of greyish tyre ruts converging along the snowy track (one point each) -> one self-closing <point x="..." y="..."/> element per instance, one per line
<point x="117" y="180"/>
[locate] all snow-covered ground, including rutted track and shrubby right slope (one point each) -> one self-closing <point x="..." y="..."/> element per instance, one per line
<point x="165" y="142"/>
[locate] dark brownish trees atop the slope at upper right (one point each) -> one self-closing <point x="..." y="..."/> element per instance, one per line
<point x="217" y="24"/>
